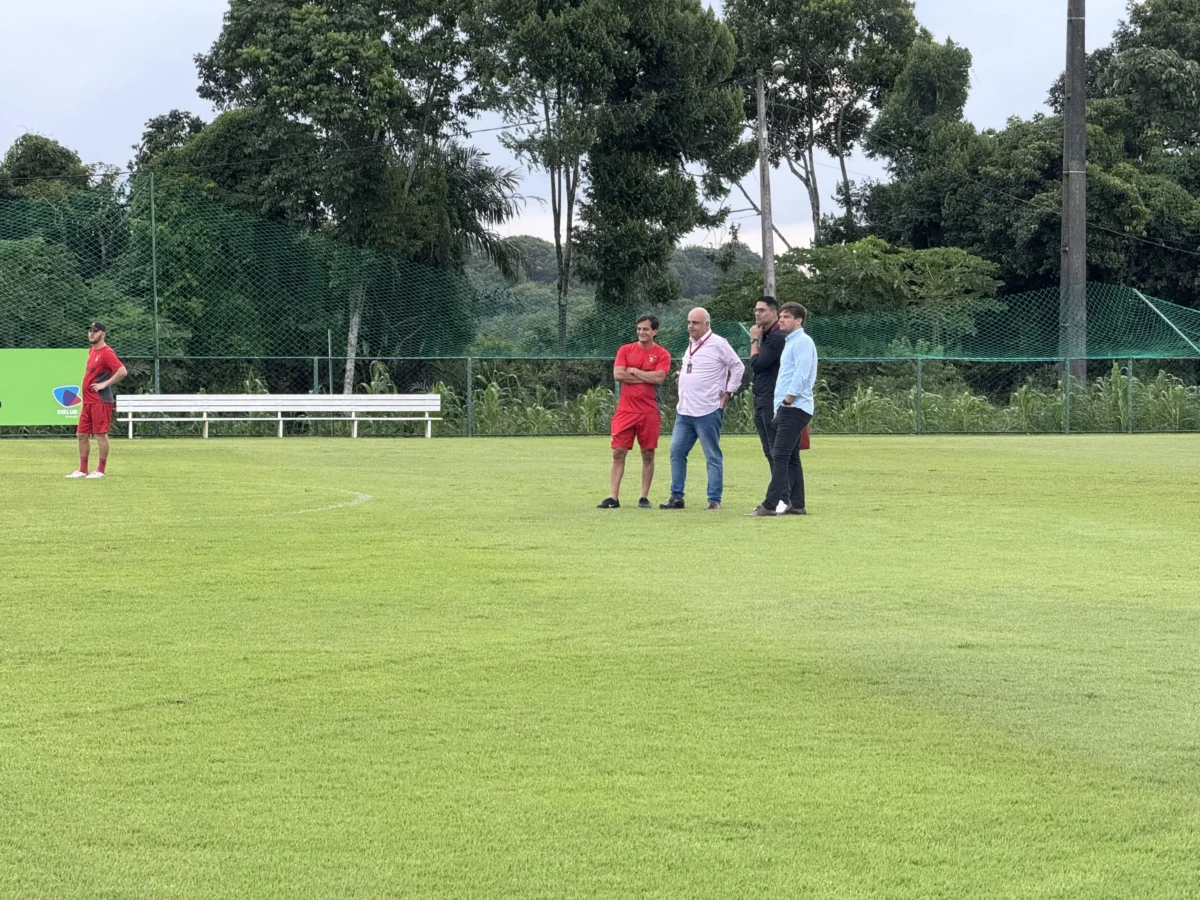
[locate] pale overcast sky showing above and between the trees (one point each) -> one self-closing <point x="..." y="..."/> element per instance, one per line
<point x="91" y="75"/>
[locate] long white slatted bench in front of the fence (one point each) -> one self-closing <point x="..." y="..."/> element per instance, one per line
<point x="208" y="409"/>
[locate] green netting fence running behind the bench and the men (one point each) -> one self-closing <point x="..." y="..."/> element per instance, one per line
<point x="203" y="298"/>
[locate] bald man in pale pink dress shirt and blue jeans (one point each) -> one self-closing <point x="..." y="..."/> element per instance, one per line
<point x="710" y="375"/>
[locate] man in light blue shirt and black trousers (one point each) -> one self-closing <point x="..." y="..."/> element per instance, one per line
<point x="794" y="410"/>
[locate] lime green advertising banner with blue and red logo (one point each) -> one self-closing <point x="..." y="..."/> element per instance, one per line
<point x="41" y="387"/>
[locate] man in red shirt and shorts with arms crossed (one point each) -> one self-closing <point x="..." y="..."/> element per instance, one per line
<point x="640" y="369"/>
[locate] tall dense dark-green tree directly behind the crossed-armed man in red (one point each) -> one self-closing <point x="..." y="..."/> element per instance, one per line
<point x="675" y="110"/>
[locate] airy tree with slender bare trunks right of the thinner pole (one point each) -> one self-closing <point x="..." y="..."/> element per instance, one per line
<point x="841" y="59"/>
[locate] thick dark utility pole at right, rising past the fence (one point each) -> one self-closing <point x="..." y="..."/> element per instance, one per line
<point x="1073" y="293"/>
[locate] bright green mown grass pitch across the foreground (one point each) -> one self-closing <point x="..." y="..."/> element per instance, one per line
<point x="973" y="671"/>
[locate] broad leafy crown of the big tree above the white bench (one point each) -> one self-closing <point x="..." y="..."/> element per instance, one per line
<point x="376" y="85"/>
